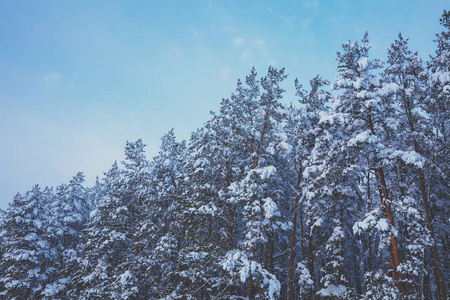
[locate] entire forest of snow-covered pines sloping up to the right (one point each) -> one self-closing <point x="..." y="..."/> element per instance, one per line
<point x="342" y="196"/>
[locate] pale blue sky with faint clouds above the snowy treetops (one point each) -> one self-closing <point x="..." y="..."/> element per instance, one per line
<point x="80" y="78"/>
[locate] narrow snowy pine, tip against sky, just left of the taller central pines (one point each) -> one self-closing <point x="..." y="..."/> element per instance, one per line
<point x="167" y="235"/>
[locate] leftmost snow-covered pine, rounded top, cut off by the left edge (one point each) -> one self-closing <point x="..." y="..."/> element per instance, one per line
<point x="27" y="252"/>
